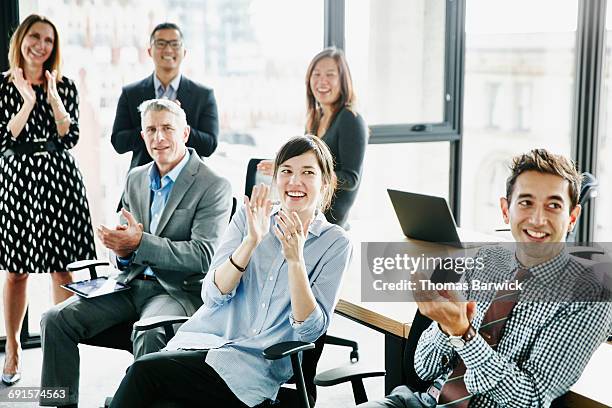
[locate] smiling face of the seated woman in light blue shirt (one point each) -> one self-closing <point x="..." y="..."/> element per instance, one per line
<point x="299" y="182"/>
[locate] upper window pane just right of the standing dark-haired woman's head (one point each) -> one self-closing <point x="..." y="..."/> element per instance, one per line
<point x="396" y="52"/>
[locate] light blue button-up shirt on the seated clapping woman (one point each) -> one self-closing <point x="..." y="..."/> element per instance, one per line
<point x="238" y="326"/>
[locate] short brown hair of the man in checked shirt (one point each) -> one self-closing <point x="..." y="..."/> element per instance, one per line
<point x="543" y="161"/>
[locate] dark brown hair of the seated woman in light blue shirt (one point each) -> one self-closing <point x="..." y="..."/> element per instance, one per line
<point x="303" y="144"/>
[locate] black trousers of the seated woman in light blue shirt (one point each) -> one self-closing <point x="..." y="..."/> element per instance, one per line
<point x="179" y="376"/>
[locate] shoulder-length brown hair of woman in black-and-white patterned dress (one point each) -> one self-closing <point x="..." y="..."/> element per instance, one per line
<point x="15" y="57"/>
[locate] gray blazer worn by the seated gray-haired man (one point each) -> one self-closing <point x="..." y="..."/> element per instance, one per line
<point x="189" y="230"/>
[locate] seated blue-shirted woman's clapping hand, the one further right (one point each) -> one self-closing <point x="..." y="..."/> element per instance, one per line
<point x="292" y="235"/>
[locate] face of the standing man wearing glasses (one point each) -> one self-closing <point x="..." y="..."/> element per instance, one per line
<point x="167" y="50"/>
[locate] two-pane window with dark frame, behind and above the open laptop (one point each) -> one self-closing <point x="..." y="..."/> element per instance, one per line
<point x="397" y="51"/>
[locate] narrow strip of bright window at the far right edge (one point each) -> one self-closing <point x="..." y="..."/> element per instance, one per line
<point x="603" y="215"/>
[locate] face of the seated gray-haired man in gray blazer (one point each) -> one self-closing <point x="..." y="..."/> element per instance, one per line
<point x="165" y="139"/>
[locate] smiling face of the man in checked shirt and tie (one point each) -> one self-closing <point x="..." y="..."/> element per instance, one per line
<point x="540" y="210"/>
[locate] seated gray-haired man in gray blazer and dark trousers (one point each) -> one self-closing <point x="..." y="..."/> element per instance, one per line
<point x="175" y="210"/>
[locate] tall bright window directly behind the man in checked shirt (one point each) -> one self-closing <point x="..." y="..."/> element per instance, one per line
<point x="519" y="84"/>
